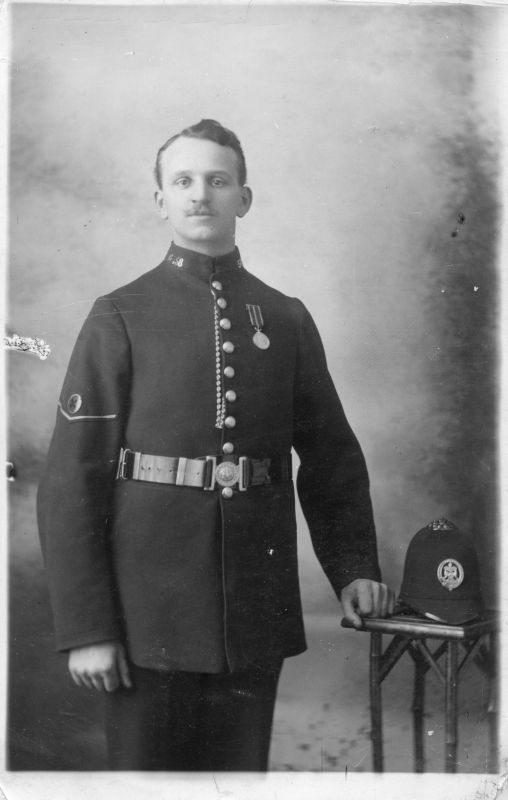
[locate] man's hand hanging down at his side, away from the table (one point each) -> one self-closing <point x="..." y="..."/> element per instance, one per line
<point x="100" y="666"/>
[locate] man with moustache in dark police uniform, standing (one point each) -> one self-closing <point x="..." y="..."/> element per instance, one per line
<point x="166" y="511"/>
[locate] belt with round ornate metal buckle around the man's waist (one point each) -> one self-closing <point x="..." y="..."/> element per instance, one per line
<point x="206" y="472"/>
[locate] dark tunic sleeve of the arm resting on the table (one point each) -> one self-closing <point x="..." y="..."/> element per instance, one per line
<point x="332" y="481"/>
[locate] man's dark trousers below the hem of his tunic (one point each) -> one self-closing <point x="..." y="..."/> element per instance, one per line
<point x="192" y="721"/>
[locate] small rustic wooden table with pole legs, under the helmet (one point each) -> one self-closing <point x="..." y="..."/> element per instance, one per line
<point x="478" y="640"/>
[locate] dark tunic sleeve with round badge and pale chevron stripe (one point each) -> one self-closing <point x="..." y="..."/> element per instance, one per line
<point x="76" y="492"/>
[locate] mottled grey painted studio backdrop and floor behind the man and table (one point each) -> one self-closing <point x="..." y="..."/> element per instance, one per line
<point x="371" y="139"/>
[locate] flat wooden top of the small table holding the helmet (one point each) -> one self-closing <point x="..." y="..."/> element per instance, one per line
<point x="421" y="628"/>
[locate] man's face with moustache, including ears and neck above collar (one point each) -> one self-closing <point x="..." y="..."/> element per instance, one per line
<point x="201" y="195"/>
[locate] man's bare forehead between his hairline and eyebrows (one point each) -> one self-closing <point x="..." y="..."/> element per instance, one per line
<point x="199" y="155"/>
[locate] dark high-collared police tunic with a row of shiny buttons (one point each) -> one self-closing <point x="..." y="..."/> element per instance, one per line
<point x="191" y="579"/>
